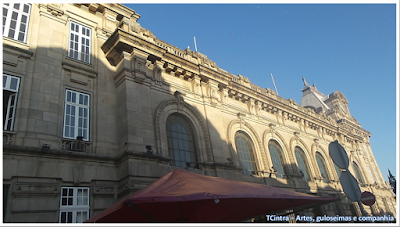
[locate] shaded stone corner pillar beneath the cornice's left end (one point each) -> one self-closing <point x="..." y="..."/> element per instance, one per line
<point x="134" y="99"/>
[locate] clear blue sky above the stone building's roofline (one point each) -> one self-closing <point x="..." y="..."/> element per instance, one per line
<point x="340" y="47"/>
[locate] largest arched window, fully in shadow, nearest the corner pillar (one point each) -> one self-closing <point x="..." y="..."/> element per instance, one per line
<point x="181" y="144"/>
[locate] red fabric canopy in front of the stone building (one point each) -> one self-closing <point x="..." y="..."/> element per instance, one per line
<point x="181" y="196"/>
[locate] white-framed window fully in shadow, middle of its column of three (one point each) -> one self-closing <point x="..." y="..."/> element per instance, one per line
<point x="76" y="115"/>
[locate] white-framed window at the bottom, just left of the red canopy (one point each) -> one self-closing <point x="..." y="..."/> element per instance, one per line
<point x="74" y="204"/>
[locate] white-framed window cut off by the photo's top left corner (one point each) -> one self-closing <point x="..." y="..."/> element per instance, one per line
<point x="15" y="20"/>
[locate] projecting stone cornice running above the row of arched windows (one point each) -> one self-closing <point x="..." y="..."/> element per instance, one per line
<point x="186" y="63"/>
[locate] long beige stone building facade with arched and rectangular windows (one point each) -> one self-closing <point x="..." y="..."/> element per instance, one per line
<point x="95" y="107"/>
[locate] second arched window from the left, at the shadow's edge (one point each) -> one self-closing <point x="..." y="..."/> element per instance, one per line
<point x="244" y="147"/>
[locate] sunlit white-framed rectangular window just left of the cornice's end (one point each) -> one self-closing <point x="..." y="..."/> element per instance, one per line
<point x="79" y="42"/>
